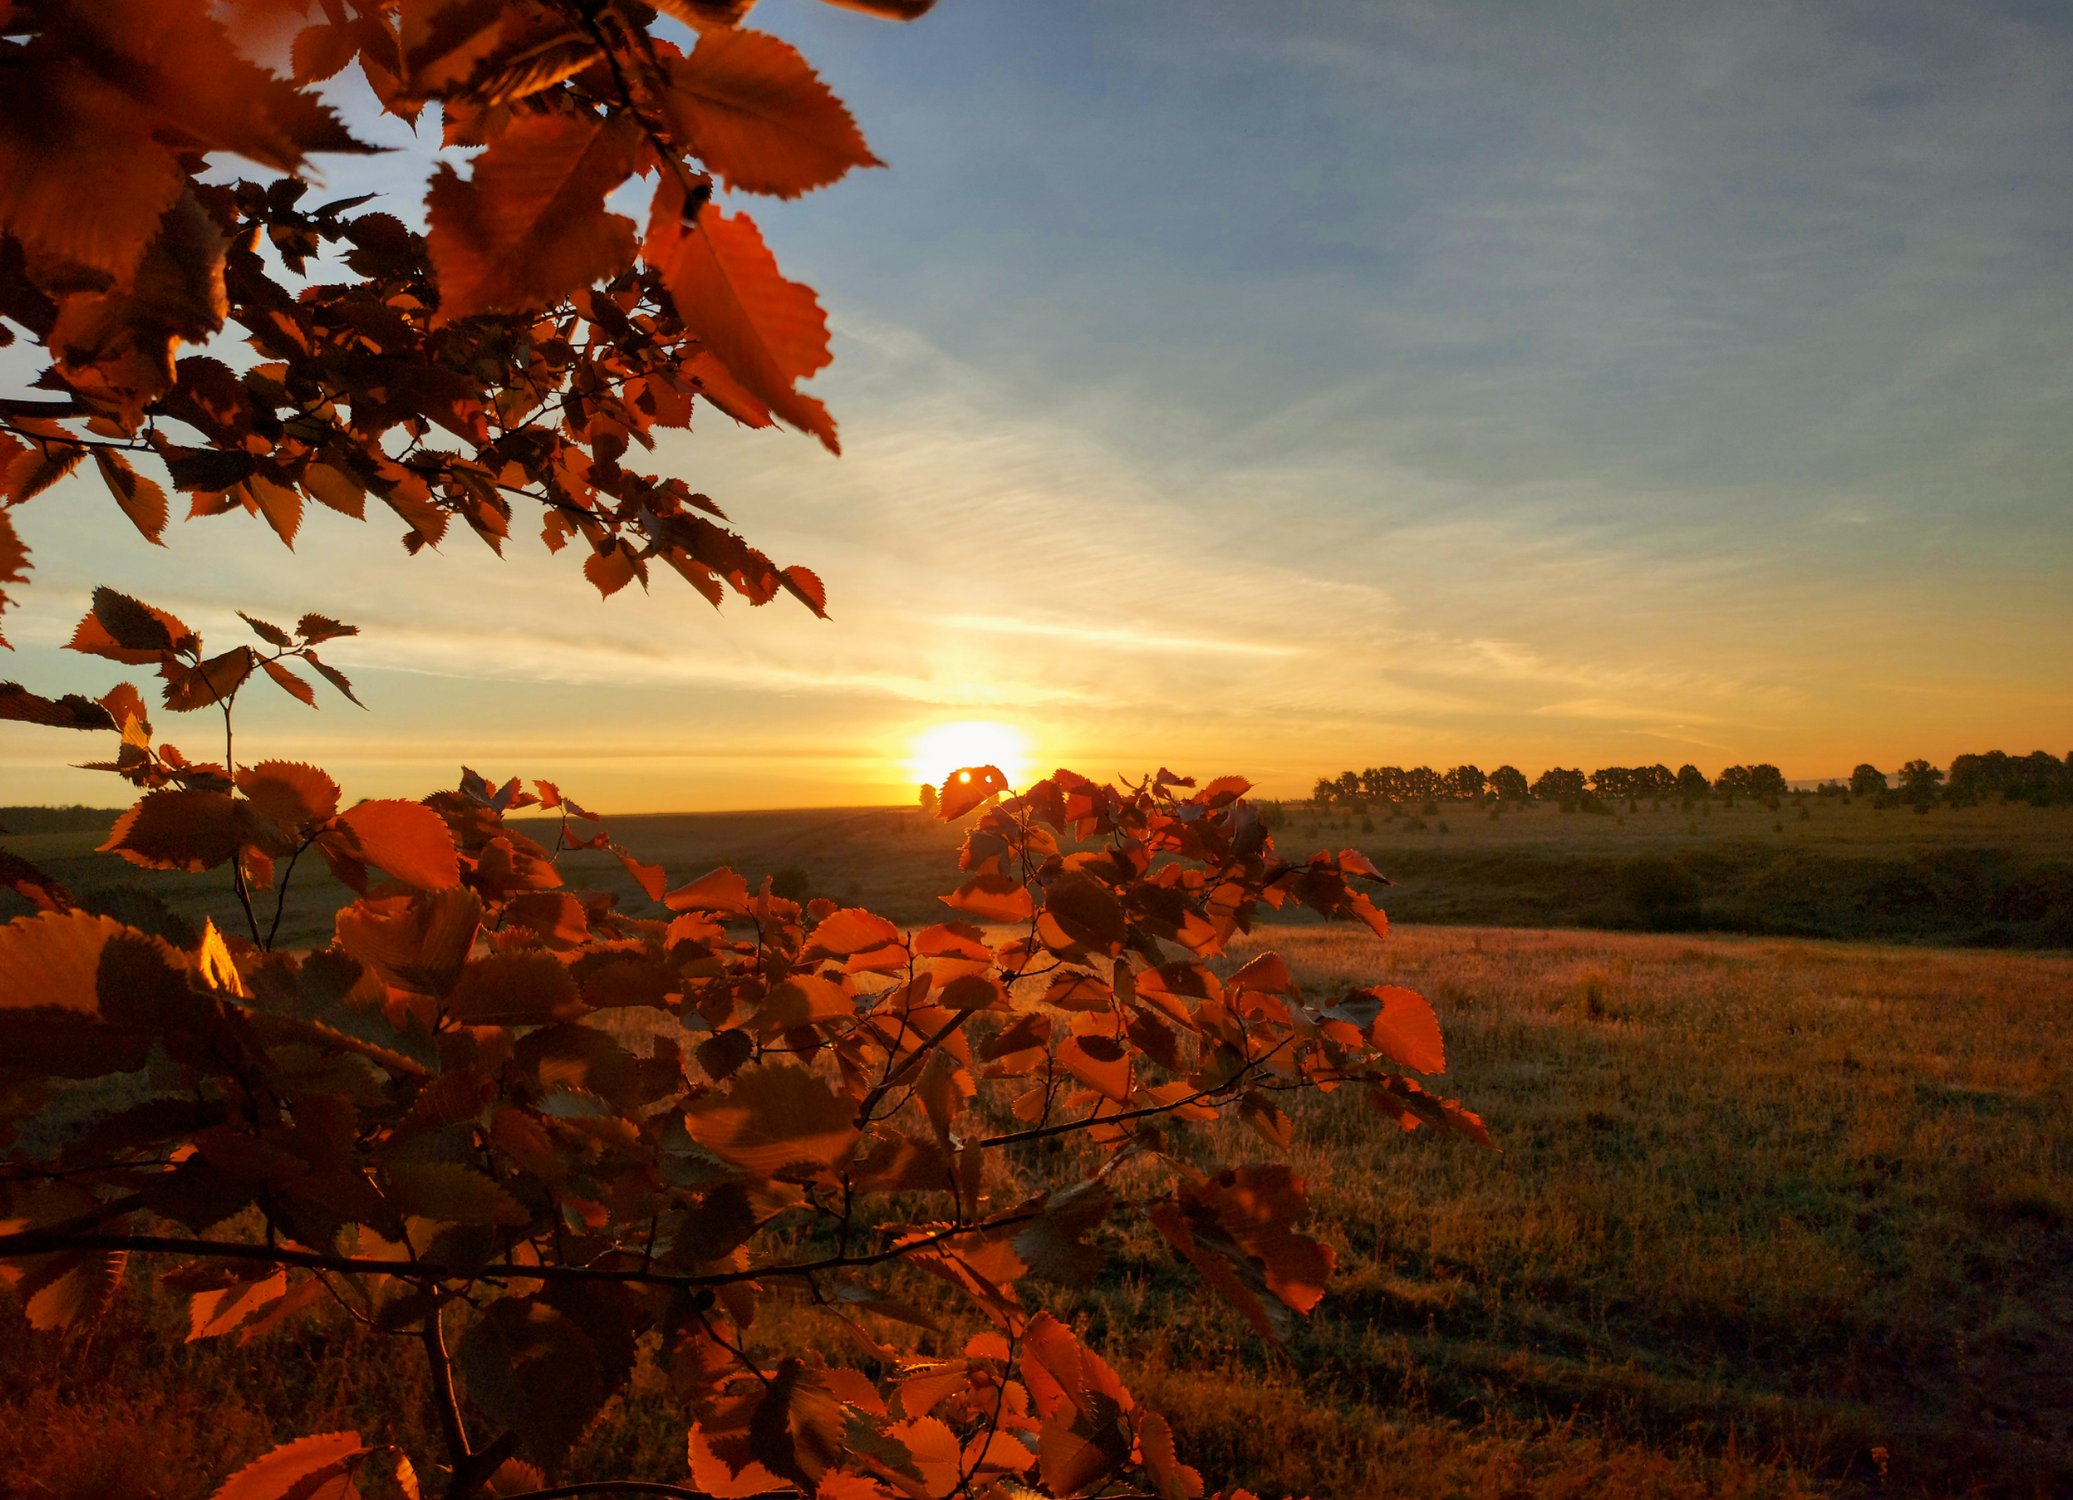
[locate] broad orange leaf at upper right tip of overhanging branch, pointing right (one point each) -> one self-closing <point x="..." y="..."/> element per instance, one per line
<point x="760" y="117"/>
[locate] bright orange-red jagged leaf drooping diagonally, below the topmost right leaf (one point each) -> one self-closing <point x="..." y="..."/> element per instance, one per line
<point x="727" y="287"/>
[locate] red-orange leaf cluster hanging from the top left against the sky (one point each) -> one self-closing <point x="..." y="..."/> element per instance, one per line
<point x="526" y="349"/>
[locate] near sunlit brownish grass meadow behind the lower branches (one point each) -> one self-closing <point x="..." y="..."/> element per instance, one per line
<point x="1773" y="1219"/>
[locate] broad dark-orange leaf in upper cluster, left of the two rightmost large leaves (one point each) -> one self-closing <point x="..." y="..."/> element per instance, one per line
<point x="530" y="225"/>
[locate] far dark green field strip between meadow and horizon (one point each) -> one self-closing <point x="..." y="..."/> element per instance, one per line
<point x="1819" y="867"/>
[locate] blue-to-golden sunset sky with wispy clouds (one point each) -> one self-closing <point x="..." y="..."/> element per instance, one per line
<point x="1286" y="388"/>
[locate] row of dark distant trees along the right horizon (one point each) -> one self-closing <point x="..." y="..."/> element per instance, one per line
<point x="1995" y="776"/>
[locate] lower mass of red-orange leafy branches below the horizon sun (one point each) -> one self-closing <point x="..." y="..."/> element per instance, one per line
<point x="434" y="1126"/>
